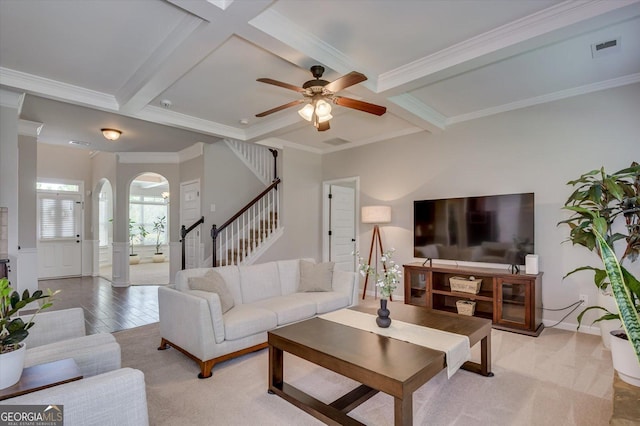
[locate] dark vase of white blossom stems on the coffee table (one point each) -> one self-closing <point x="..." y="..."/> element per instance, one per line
<point x="387" y="280"/>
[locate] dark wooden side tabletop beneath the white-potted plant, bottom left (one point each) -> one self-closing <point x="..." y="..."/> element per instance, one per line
<point x="43" y="376"/>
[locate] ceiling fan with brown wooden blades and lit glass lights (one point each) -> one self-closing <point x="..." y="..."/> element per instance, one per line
<point x="319" y="94"/>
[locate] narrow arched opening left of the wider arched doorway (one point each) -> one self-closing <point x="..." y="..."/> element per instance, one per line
<point x="105" y="229"/>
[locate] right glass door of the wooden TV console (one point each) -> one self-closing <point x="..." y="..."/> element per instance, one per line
<point x="513" y="302"/>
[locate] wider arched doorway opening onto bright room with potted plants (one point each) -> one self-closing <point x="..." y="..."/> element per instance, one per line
<point x="148" y="230"/>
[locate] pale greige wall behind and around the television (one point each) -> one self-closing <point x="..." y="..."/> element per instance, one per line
<point x="537" y="149"/>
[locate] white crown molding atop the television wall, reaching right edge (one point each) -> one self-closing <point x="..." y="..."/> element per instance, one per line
<point x="556" y="96"/>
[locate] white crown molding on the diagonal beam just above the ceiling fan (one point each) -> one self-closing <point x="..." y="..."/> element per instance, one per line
<point x="296" y="36"/>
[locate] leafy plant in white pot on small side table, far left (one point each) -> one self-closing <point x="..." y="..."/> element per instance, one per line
<point x="13" y="330"/>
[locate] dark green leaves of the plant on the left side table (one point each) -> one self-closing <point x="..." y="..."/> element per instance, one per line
<point x="15" y="330"/>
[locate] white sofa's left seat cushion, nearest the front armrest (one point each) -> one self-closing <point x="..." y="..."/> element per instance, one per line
<point x="246" y="320"/>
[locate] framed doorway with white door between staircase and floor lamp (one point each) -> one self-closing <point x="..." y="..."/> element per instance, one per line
<point x="340" y="218"/>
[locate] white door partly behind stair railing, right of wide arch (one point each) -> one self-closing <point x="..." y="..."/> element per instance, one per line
<point x="190" y="213"/>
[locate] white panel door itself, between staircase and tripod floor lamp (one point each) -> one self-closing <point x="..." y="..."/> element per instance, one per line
<point x="342" y="227"/>
